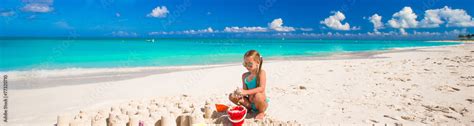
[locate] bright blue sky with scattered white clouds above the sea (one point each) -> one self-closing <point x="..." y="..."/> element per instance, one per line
<point x="237" y="18"/>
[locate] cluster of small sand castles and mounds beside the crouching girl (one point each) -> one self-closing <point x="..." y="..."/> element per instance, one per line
<point x="168" y="111"/>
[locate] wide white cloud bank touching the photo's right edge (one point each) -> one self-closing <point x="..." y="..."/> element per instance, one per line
<point x="452" y="17"/>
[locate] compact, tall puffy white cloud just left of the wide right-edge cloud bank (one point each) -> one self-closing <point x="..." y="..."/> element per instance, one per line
<point x="403" y="19"/>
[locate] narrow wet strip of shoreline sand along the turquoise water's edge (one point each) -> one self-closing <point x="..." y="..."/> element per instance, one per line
<point x="46" y="78"/>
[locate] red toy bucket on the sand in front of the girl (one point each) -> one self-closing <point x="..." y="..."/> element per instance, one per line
<point x="237" y="115"/>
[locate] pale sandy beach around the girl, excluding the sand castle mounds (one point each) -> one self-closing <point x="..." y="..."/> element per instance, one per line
<point x="404" y="86"/>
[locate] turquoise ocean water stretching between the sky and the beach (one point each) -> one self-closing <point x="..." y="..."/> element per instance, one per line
<point x="30" y="54"/>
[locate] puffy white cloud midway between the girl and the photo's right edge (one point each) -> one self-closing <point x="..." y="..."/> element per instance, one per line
<point x="334" y="22"/>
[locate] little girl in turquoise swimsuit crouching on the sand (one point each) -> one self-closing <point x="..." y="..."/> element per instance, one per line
<point x="252" y="95"/>
